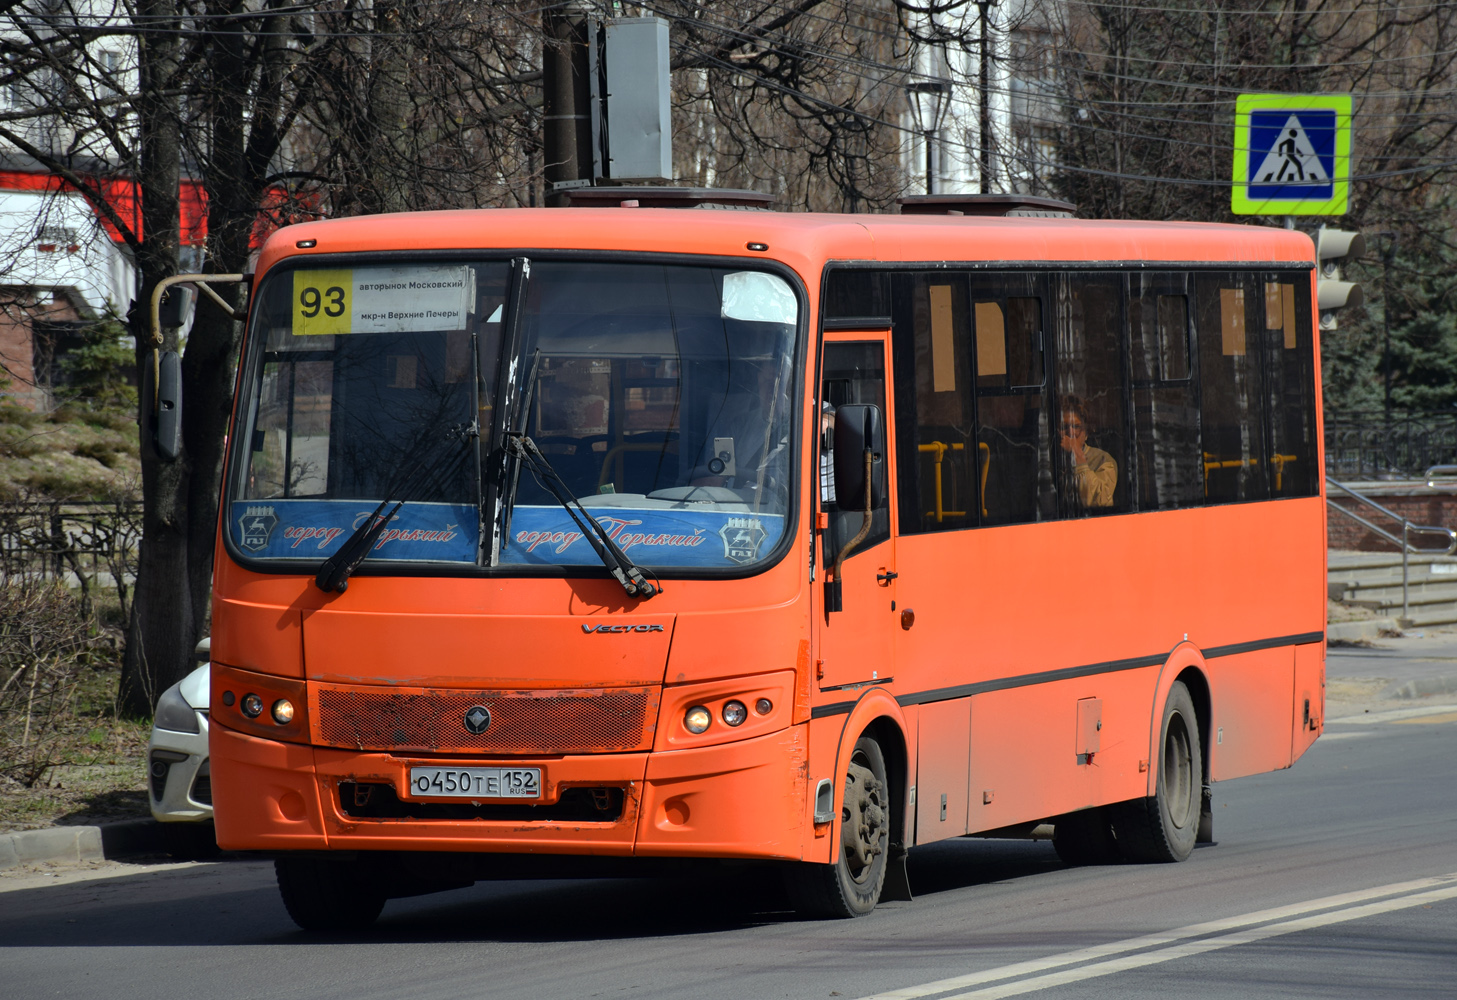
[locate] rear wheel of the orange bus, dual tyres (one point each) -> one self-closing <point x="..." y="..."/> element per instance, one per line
<point x="1165" y="826"/>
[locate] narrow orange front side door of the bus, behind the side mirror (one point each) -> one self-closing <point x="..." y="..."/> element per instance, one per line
<point x="857" y="644"/>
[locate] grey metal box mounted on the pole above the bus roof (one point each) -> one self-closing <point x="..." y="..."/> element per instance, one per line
<point x="640" y="135"/>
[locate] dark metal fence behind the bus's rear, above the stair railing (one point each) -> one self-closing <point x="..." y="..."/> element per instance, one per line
<point x="1369" y="447"/>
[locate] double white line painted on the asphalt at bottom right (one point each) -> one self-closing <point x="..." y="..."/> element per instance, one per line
<point x="1442" y="884"/>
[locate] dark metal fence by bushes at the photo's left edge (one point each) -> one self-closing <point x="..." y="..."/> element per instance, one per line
<point x="87" y="546"/>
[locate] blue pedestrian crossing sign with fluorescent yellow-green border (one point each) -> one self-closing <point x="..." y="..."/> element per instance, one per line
<point x="1292" y="155"/>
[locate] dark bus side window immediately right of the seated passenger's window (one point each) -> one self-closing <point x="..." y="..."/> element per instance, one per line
<point x="1166" y="405"/>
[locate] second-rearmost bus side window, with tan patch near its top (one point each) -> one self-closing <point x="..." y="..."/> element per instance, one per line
<point x="1230" y="320"/>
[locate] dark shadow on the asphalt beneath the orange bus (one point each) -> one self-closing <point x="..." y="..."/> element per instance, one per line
<point x="238" y="903"/>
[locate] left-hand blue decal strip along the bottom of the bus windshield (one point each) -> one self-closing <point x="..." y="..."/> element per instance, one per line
<point x="314" y="530"/>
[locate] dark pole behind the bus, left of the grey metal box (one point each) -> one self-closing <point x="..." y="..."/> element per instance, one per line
<point x="566" y="101"/>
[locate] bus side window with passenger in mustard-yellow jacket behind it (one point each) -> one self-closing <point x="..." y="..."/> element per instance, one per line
<point x="1092" y="435"/>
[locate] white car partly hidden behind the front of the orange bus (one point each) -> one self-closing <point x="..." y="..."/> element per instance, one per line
<point x="178" y="781"/>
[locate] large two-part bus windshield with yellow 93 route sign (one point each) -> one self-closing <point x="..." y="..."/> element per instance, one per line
<point x="659" y="393"/>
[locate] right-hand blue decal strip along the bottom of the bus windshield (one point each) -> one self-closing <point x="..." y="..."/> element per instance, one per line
<point x="549" y="537"/>
